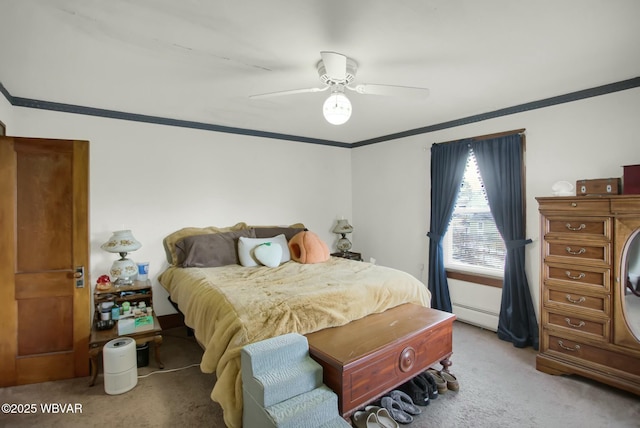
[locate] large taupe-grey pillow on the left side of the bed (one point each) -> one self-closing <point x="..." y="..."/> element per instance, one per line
<point x="211" y="249"/>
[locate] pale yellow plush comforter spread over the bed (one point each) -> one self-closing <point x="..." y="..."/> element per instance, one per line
<point x="231" y="306"/>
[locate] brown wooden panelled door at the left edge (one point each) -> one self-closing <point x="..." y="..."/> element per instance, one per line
<point x="45" y="312"/>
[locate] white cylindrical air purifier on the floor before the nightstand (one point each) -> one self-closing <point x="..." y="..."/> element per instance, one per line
<point x="120" y="365"/>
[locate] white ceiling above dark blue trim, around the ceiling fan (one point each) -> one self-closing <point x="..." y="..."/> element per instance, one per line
<point x="199" y="60"/>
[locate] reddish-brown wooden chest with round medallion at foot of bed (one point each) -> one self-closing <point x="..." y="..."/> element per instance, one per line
<point x="369" y="357"/>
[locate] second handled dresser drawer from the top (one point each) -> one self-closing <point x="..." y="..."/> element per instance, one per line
<point x="578" y="252"/>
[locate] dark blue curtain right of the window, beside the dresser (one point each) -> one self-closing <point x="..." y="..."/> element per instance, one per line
<point x="500" y="164"/>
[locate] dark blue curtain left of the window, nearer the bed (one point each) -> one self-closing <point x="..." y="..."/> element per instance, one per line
<point x="448" y="162"/>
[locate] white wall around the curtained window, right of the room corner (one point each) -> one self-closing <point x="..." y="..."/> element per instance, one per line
<point x="590" y="138"/>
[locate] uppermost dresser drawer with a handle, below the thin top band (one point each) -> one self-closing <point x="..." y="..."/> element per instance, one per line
<point x="582" y="227"/>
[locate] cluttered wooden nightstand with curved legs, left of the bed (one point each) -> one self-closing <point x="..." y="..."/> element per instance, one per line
<point x="140" y="291"/>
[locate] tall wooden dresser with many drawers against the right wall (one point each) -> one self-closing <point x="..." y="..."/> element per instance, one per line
<point x="587" y="327"/>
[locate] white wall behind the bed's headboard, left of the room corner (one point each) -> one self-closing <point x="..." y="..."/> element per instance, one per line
<point x="156" y="179"/>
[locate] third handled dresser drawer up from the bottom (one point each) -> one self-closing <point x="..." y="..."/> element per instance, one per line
<point x="577" y="302"/>
